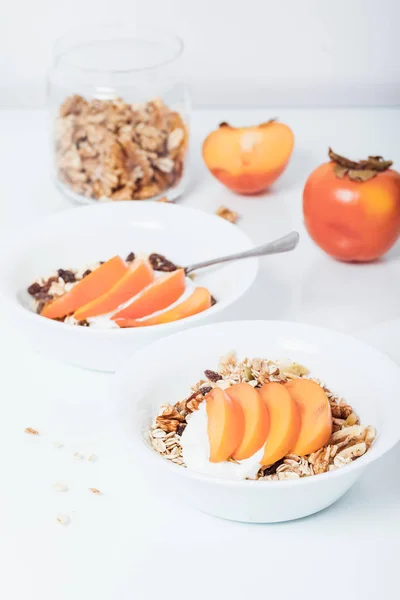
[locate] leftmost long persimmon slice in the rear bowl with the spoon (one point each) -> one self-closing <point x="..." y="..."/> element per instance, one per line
<point x="87" y="289"/>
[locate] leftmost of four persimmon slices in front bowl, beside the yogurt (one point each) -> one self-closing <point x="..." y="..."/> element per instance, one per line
<point x="225" y="424"/>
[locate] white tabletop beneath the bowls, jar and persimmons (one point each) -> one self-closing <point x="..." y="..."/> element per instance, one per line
<point x="137" y="543"/>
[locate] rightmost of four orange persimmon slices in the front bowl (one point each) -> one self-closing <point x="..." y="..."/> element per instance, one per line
<point x="316" y="416"/>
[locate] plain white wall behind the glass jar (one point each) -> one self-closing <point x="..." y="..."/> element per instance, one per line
<point x="248" y="53"/>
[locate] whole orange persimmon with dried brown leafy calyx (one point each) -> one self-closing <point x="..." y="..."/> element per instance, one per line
<point x="352" y="209"/>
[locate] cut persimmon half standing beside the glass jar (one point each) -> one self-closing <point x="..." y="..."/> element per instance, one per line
<point x="248" y="159"/>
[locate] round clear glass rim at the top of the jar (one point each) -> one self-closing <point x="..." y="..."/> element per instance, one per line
<point x="65" y="45"/>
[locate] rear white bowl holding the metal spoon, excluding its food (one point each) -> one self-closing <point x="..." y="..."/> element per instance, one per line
<point x="85" y="235"/>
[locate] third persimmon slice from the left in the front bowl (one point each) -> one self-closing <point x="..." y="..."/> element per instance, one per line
<point x="285" y="422"/>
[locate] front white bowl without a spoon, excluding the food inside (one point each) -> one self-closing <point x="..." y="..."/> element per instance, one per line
<point x="164" y="371"/>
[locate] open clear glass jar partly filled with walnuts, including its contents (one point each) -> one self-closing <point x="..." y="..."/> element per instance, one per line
<point x="119" y="115"/>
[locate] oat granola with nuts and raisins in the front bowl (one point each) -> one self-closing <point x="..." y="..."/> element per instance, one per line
<point x="349" y="439"/>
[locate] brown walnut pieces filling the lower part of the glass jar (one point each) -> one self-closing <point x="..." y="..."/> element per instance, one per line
<point x="110" y="149"/>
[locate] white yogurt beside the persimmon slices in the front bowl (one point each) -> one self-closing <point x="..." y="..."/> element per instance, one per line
<point x="196" y="452"/>
